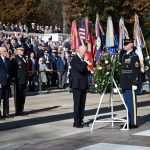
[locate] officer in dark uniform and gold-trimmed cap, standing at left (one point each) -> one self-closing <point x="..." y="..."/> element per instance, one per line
<point x="19" y="77"/>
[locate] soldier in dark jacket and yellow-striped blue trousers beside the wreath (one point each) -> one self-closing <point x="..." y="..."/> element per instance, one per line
<point x="129" y="80"/>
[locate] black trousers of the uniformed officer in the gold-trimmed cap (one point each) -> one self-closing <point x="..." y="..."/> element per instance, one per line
<point x="20" y="97"/>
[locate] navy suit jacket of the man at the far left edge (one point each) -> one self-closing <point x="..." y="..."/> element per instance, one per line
<point x="4" y="71"/>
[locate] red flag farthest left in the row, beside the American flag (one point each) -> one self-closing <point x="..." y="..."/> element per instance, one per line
<point x="74" y="36"/>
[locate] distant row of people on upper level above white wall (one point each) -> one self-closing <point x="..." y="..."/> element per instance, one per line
<point x="33" y="29"/>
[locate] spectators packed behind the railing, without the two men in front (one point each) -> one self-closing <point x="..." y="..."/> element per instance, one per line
<point x="50" y="56"/>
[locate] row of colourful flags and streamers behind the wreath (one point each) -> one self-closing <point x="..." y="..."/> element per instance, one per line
<point x="82" y="35"/>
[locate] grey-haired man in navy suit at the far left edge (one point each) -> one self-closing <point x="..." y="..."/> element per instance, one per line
<point x="4" y="82"/>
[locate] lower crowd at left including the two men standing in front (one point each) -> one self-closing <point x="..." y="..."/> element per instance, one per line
<point x="30" y="61"/>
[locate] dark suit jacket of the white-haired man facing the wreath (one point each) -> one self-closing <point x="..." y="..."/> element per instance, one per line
<point x="79" y="73"/>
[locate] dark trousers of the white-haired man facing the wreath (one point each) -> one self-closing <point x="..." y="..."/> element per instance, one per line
<point x="79" y="97"/>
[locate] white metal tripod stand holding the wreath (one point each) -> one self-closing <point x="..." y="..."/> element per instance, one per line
<point x="113" y="119"/>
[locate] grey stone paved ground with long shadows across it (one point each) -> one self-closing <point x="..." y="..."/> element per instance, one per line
<point x="49" y="125"/>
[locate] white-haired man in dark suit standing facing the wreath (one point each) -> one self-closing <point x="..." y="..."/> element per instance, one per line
<point x="79" y="74"/>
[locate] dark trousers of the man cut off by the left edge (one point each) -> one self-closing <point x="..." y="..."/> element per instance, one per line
<point x="4" y="94"/>
